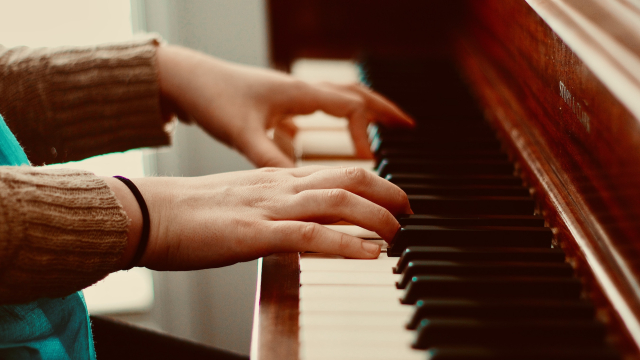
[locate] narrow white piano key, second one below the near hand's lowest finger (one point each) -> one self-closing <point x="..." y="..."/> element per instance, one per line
<point x="347" y="278"/>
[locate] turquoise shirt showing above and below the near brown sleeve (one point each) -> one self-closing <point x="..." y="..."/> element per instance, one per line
<point x="56" y="329"/>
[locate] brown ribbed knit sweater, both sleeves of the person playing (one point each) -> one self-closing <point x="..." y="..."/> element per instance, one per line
<point x="63" y="230"/>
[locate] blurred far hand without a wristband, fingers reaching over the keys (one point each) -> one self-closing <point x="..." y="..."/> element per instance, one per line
<point x="237" y="103"/>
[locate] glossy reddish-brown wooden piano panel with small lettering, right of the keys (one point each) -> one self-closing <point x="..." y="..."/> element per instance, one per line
<point x="576" y="143"/>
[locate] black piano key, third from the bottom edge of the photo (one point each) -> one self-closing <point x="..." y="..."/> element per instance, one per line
<point x="500" y="310"/>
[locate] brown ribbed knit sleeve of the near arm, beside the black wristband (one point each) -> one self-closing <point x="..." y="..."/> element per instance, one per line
<point x="60" y="231"/>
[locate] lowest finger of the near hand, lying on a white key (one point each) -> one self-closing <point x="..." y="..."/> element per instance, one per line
<point x="290" y="236"/>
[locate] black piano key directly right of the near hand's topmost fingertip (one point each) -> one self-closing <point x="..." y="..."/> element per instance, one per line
<point x="485" y="205"/>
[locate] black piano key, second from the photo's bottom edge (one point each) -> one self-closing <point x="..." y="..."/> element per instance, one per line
<point x="542" y="333"/>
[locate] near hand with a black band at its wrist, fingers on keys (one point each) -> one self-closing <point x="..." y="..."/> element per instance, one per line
<point x="222" y="219"/>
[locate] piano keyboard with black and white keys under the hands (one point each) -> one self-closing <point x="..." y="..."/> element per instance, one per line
<point x="472" y="275"/>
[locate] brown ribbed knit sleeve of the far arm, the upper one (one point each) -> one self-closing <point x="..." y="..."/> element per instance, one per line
<point x="67" y="104"/>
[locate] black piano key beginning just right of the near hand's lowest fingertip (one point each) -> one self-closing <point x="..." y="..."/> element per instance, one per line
<point x="471" y="236"/>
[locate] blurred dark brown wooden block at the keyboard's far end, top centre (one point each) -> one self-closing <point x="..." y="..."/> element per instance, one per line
<point x="338" y="29"/>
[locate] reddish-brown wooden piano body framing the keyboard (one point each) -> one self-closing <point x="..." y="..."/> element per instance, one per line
<point x="559" y="80"/>
